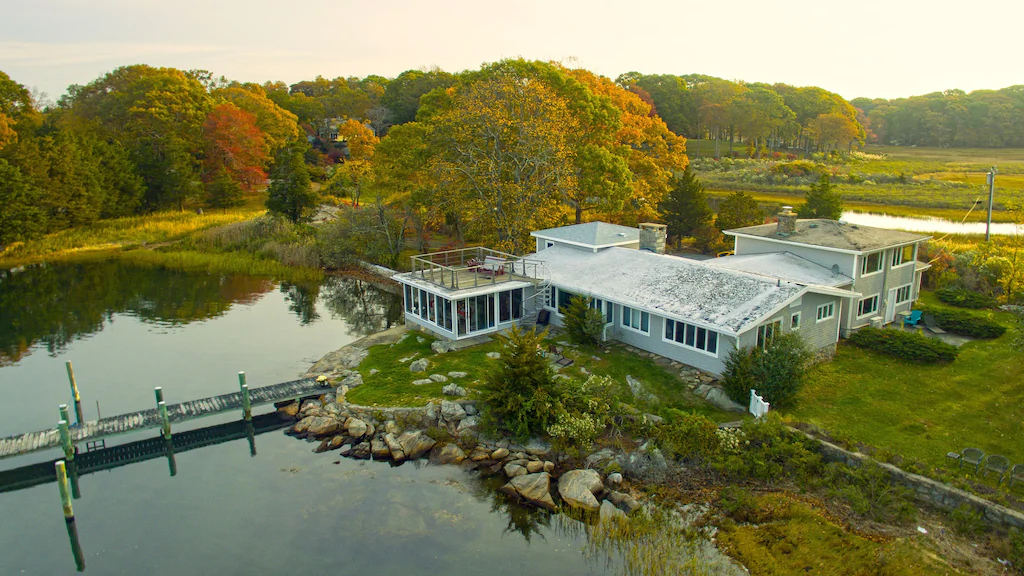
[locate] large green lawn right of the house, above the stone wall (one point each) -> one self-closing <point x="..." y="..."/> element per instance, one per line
<point x="923" y="412"/>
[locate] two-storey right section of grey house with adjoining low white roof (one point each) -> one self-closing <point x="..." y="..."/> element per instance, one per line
<point x="880" y="265"/>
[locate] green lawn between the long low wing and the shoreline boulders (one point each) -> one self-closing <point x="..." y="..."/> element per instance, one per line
<point x="392" y="385"/>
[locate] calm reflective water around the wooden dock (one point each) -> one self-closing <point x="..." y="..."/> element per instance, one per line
<point x="285" y="511"/>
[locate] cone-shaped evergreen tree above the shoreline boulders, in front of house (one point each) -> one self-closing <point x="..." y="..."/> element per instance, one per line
<point x="519" y="393"/>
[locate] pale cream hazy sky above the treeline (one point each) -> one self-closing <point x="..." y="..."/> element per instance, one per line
<point x="873" y="49"/>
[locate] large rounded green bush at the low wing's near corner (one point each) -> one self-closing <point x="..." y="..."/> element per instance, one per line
<point x="776" y="372"/>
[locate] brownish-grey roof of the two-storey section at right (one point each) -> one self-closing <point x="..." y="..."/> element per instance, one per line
<point x="833" y="235"/>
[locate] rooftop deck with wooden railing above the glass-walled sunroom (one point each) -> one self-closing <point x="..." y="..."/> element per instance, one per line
<point x="470" y="268"/>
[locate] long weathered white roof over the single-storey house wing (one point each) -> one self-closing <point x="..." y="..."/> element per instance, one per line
<point x="689" y="291"/>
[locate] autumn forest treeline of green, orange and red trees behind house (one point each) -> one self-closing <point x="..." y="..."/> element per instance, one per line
<point x="486" y="154"/>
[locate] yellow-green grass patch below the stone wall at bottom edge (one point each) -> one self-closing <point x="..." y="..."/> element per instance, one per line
<point x="798" y="540"/>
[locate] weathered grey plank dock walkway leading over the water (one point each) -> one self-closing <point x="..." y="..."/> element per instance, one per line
<point x="148" y="420"/>
